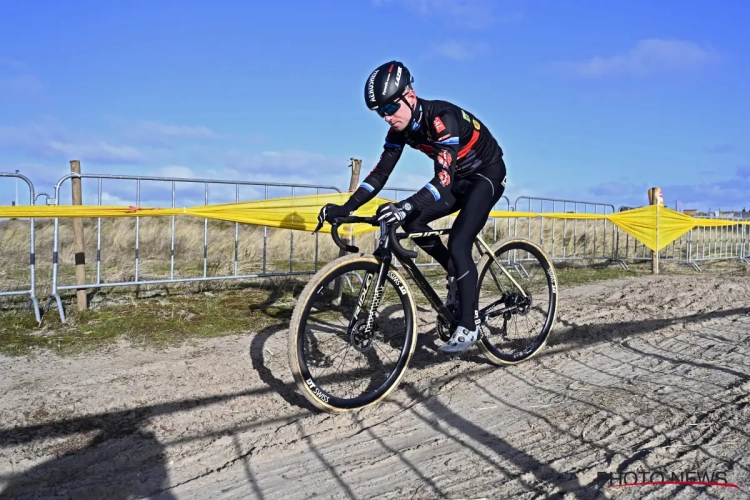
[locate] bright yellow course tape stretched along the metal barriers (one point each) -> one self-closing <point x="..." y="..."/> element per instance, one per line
<point x="653" y="225"/>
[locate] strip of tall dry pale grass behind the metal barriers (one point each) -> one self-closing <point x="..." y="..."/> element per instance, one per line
<point x="562" y="239"/>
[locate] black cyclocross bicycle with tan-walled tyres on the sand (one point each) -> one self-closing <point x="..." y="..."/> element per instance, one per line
<point x="382" y="286"/>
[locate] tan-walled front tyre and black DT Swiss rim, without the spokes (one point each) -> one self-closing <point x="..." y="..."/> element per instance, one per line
<point x="295" y="341"/>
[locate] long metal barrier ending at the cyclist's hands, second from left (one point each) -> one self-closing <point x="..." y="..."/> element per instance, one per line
<point x="173" y="182"/>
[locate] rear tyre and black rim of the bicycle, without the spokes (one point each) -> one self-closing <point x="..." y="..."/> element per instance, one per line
<point x="494" y="355"/>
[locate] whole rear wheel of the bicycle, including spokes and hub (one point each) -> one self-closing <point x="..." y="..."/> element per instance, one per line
<point x="518" y="297"/>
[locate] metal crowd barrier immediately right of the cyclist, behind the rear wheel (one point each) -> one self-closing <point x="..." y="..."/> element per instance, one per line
<point x="568" y="240"/>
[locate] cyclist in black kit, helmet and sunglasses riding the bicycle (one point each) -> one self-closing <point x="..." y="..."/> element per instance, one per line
<point x="469" y="177"/>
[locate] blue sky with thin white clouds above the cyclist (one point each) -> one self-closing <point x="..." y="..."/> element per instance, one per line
<point x="594" y="101"/>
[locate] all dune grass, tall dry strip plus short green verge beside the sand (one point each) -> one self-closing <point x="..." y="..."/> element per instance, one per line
<point x="168" y="314"/>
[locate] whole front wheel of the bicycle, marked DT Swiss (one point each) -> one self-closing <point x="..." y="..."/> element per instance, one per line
<point x="342" y="357"/>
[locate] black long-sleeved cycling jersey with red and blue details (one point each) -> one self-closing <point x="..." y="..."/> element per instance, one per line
<point x="458" y="142"/>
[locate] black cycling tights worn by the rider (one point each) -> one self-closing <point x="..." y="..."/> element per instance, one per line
<point x="474" y="196"/>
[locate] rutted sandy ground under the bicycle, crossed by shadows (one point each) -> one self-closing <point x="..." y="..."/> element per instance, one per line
<point x="641" y="375"/>
